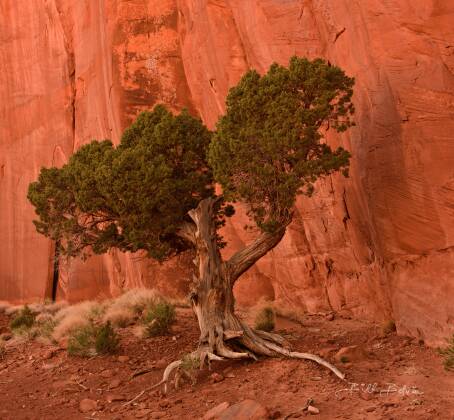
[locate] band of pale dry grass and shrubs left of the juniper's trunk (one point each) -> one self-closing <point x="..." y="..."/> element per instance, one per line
<point x="82" y="323"/>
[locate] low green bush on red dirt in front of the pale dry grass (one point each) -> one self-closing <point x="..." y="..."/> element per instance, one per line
<point x="91" y="340"/>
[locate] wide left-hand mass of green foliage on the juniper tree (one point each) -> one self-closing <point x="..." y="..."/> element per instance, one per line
<point x="131" y="197"/>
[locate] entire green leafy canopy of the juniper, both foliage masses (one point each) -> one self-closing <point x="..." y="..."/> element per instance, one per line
<point x="267" y="148"/>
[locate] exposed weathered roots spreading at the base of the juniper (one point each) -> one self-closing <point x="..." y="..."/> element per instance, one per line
<point x="252" y="344"/>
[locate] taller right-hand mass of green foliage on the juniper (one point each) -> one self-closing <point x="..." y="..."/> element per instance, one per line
<point x="267" y="147"/>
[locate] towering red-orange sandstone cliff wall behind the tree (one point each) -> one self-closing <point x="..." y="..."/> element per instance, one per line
<point x="379" y="243"/>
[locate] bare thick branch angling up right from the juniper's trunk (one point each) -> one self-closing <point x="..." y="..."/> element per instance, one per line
<point x="244" y="259"/>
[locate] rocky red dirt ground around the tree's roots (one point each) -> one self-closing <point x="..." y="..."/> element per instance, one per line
<point x="410" y="382"/>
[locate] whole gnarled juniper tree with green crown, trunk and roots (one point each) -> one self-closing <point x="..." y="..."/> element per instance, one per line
<point x="155" y="191"/>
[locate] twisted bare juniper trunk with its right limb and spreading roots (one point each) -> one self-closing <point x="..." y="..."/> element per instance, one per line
<point x="222" y="333"/>
